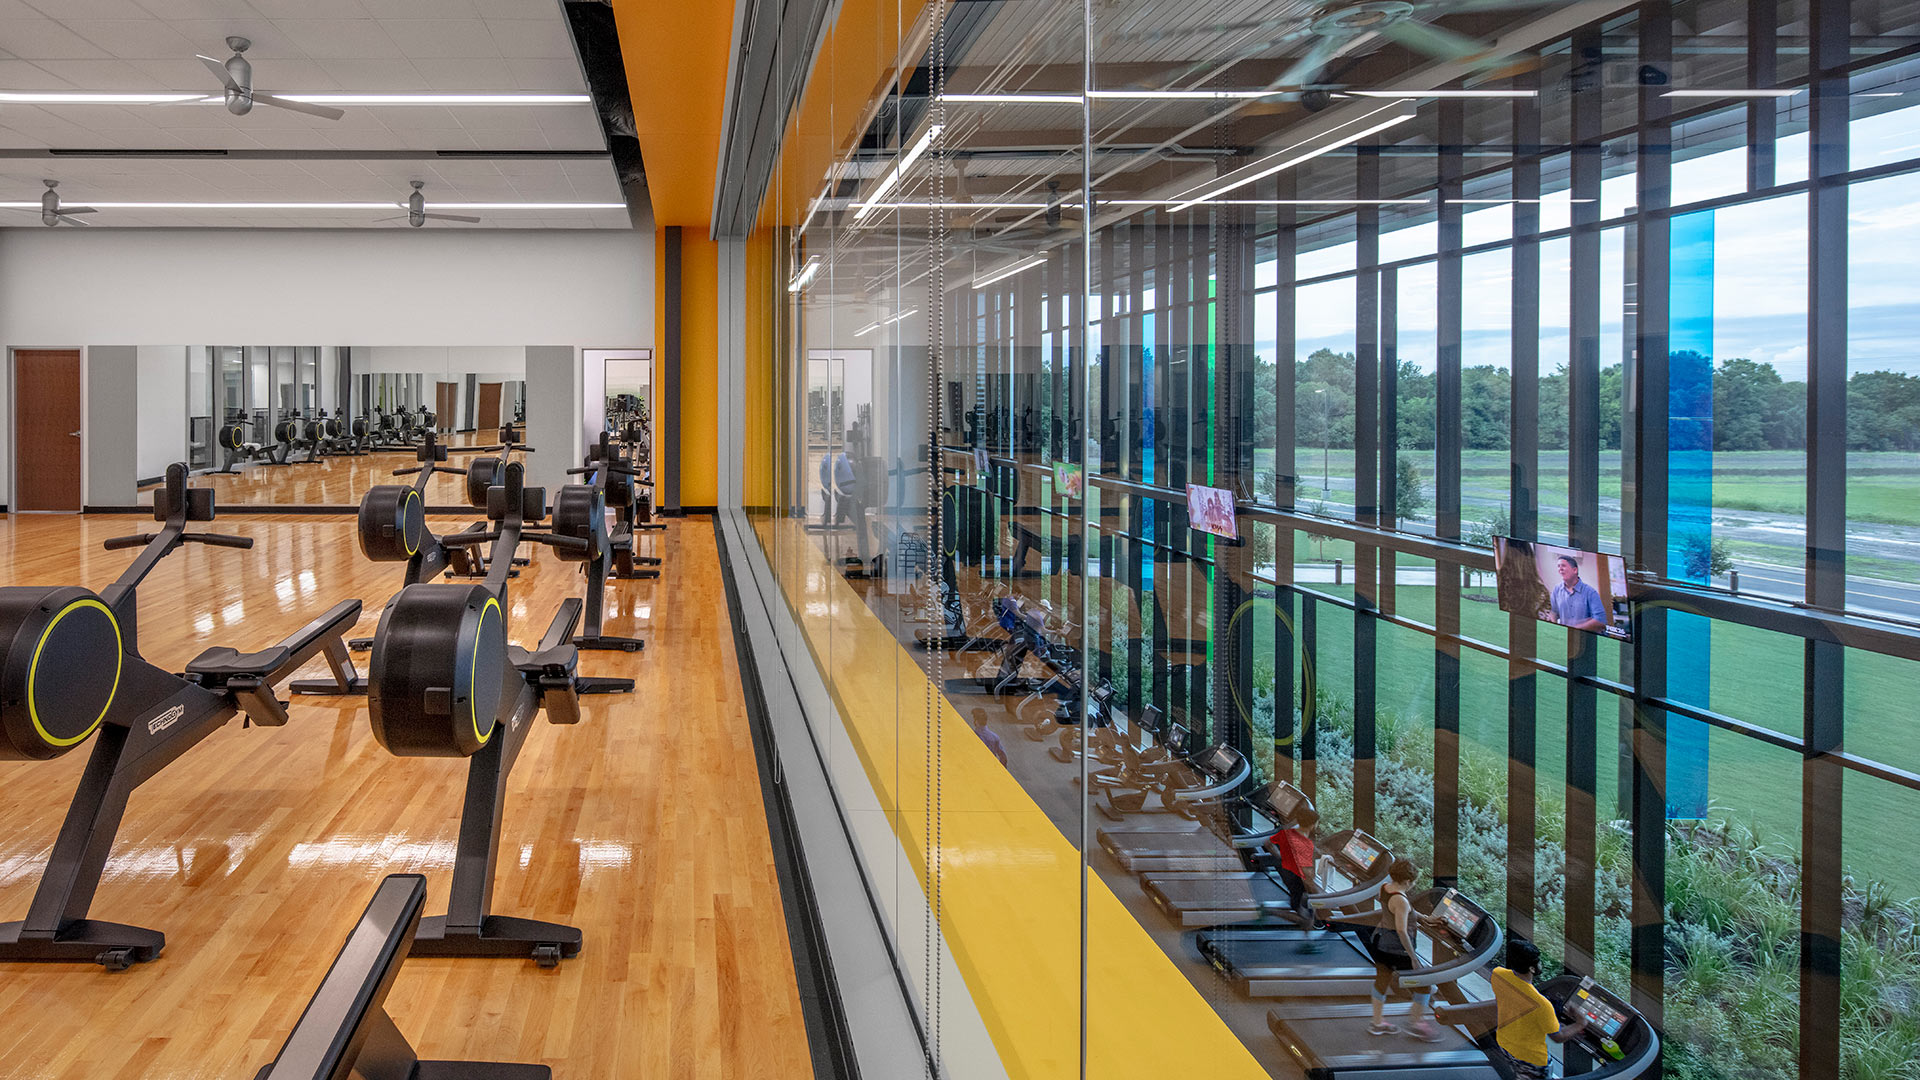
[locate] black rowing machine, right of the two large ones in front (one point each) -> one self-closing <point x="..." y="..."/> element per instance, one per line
<point x="448" y="683"/>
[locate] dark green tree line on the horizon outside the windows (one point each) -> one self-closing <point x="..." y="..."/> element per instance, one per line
<point x="1754" y="408"/>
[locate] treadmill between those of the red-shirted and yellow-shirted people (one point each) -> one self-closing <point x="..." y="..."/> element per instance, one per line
<point x="1282" y="964"/>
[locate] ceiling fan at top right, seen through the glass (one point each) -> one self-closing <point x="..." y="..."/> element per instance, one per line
<point x="1337" y="26"/>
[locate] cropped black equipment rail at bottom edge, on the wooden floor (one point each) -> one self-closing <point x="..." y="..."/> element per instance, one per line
<point x="347" y="1029"/>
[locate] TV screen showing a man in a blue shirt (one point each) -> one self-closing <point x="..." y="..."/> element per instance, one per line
<point x="1585" y="591"/>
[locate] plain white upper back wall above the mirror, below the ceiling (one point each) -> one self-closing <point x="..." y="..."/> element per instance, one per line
<point x="364" y="287"/>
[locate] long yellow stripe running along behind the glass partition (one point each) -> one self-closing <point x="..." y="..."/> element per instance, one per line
<point x="1009" y="879"/>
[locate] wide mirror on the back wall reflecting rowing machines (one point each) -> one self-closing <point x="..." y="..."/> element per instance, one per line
<point x="318" y="426"/>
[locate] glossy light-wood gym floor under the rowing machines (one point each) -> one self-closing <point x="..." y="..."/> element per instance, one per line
<point x="258" y="850"/>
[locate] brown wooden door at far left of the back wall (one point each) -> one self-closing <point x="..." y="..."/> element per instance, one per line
<point x="47" y="430"/>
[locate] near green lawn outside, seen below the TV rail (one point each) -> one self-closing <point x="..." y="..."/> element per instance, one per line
<point x="1756" y="677"/>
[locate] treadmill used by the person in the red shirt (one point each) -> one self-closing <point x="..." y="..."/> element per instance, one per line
<point x="1351" y="871"/>
